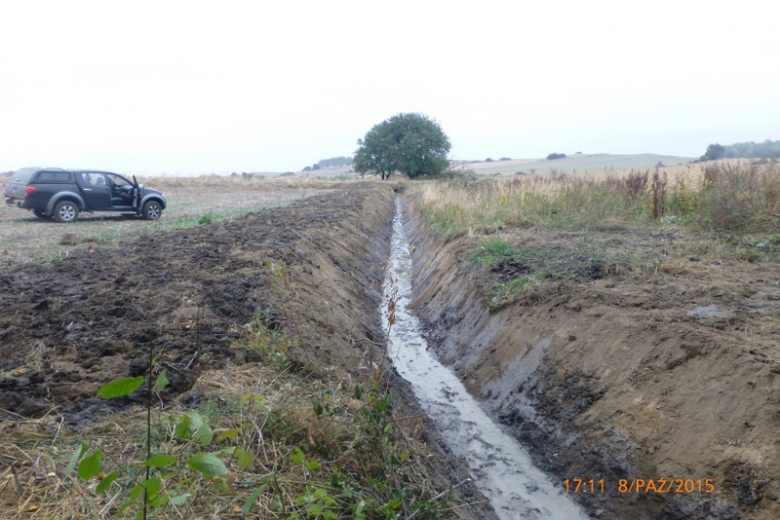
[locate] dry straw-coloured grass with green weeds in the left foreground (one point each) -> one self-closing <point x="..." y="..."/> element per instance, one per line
<point x="268" y="412"/>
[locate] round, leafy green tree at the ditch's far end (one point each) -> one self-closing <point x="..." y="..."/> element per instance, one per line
<point x="411" y="144"/>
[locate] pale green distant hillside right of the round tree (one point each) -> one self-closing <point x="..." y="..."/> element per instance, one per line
<point x="580" y="163"/>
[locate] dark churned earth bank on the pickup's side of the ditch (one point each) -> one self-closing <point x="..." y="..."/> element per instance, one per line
<point x="314" y="268"/>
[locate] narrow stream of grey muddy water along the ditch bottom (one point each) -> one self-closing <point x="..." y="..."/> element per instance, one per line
<point x="501" y="468"/>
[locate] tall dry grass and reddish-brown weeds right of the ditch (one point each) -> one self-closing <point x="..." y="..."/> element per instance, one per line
<point x="714" y="196"/>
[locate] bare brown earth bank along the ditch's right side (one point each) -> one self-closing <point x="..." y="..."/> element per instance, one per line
<point x="671" y="375"/>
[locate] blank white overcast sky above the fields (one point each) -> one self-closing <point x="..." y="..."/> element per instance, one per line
<point x="193" y="87"/>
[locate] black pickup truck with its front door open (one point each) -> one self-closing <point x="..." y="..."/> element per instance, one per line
<point x="61" y="194"/>
